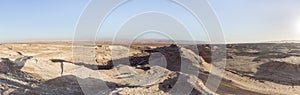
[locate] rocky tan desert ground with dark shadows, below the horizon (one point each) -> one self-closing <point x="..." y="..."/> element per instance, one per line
<point x="147" y="69"/>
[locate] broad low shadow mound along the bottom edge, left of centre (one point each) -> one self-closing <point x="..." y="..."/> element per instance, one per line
<point x="69" y="85"/>
